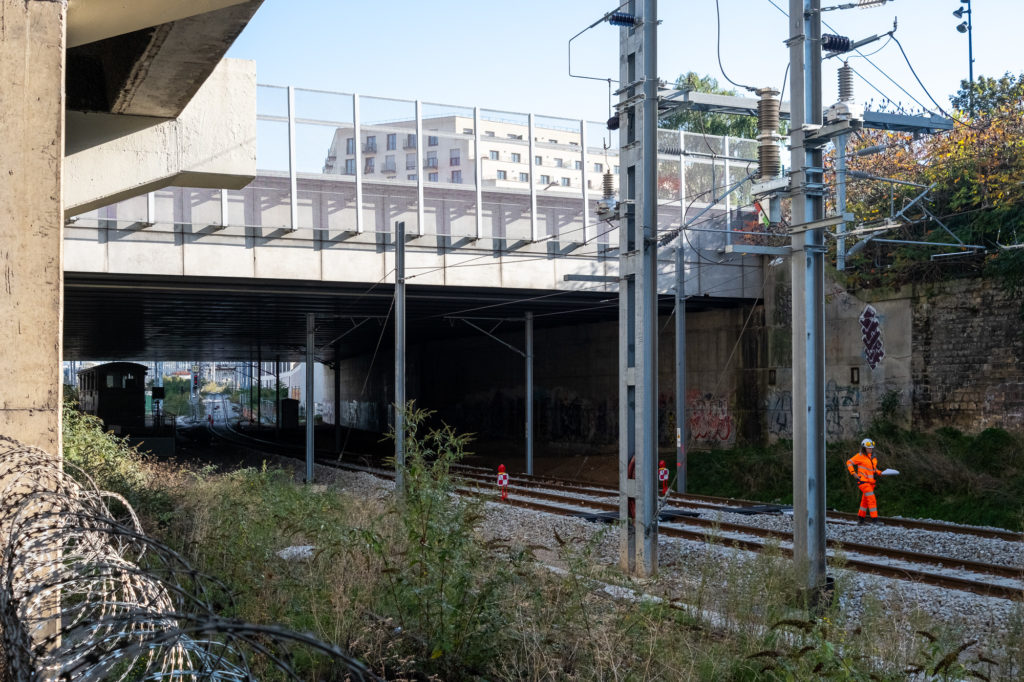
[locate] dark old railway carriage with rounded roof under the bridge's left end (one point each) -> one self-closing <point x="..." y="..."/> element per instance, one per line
<point x="116" y="394"/>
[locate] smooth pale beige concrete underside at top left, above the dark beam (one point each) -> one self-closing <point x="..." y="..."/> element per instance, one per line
<point x="90" y="21"/>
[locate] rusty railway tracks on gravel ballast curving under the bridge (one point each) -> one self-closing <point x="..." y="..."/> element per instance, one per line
<point x="682" y="518"/>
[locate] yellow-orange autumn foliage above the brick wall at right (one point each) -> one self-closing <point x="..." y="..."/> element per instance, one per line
<point x="976" y="175"/>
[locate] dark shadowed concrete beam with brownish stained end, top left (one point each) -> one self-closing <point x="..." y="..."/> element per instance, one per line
<point x="155" y="71"/>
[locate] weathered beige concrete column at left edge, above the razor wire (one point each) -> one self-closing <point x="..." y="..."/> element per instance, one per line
<point x="32" y="57"/>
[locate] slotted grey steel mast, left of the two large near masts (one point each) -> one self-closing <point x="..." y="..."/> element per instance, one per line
<point x="637" y="312"/>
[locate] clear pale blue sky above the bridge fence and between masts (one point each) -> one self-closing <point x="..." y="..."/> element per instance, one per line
<point x="515" y="56"/>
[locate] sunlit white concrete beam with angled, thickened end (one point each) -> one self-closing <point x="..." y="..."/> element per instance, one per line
<point x="212" y="145"/>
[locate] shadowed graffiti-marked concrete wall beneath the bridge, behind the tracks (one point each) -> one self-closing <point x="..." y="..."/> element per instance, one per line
<point x="478" y="386"/>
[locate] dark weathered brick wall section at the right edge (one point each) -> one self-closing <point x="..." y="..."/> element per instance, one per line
<point x="968" y="365"/>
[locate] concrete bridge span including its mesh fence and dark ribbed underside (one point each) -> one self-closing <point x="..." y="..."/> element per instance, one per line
<point x="212" y="273"/>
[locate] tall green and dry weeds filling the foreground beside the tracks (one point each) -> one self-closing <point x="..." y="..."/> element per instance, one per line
<point x="413" y="585"/>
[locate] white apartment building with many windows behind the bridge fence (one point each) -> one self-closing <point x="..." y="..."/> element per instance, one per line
<point x="557" y="162"/>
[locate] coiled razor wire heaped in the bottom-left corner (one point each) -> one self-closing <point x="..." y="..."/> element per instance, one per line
<point x="87" y="596"/>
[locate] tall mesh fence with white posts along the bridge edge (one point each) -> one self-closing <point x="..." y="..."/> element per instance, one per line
<point x="338" y="170"/>
